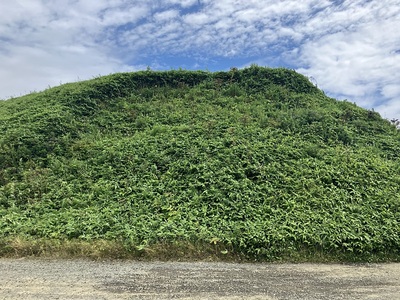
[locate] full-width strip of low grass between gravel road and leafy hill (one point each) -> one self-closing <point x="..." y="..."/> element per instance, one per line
<point x="171" y="251"/>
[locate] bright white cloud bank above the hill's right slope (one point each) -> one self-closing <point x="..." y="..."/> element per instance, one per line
<point x="356" y="58"/>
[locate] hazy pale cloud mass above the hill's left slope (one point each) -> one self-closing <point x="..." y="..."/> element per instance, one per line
<point x="44" y="45"/>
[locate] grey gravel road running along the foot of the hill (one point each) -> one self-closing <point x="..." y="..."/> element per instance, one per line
<point x="89" y="280"/>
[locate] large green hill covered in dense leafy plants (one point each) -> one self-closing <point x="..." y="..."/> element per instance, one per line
<point x="254" y="163"/>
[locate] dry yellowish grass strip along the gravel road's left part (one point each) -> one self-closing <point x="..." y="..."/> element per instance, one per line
<point x="102" y="249"/>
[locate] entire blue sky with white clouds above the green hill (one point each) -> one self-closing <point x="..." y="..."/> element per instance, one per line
<point x="349" y="48"/>
